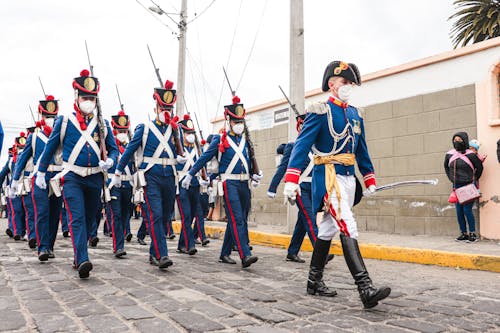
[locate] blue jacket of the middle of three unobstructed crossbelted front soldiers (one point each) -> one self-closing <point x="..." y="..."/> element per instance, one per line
<point x="151" y="144"/>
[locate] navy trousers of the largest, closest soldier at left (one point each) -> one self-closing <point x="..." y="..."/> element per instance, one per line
<point x="82" y="197"/>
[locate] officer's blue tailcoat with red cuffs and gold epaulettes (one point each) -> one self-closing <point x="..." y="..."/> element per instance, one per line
<point x="315" y="131"/>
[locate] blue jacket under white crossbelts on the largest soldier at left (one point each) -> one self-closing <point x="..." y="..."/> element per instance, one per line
<point x="87" y="156"/>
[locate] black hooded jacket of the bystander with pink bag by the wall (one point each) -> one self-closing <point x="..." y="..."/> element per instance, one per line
<point x="459" y="172"/>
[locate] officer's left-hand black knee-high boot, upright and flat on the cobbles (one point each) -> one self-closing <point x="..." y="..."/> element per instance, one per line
<point x="315" y="284"/>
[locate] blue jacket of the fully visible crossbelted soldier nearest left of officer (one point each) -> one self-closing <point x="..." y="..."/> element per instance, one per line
<point x="226" y="156"/>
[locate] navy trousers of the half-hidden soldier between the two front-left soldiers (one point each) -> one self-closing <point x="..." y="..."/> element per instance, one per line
<point x="118" y="213"/>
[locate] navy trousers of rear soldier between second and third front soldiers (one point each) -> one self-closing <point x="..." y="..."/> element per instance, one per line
<point x="187" y="203"/>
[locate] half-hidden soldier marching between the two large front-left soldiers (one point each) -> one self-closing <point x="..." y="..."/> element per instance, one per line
<point x="119" y="208"/>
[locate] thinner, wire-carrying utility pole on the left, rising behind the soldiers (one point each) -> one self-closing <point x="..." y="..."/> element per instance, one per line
<point x="181" y="67"/>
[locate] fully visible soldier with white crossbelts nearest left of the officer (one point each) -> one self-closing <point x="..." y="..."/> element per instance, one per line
<point x="231" y="150"/>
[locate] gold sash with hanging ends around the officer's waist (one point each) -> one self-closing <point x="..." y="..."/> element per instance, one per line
<point x="331" y="175"/>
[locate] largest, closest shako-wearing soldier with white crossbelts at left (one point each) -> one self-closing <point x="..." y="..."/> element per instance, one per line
<point x="83" y="164"/>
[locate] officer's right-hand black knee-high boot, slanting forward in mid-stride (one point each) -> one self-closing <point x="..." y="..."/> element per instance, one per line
<point x="367" y="292"/>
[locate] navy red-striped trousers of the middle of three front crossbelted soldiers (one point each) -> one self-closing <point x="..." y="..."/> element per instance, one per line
<point x="159" y="196"/>
